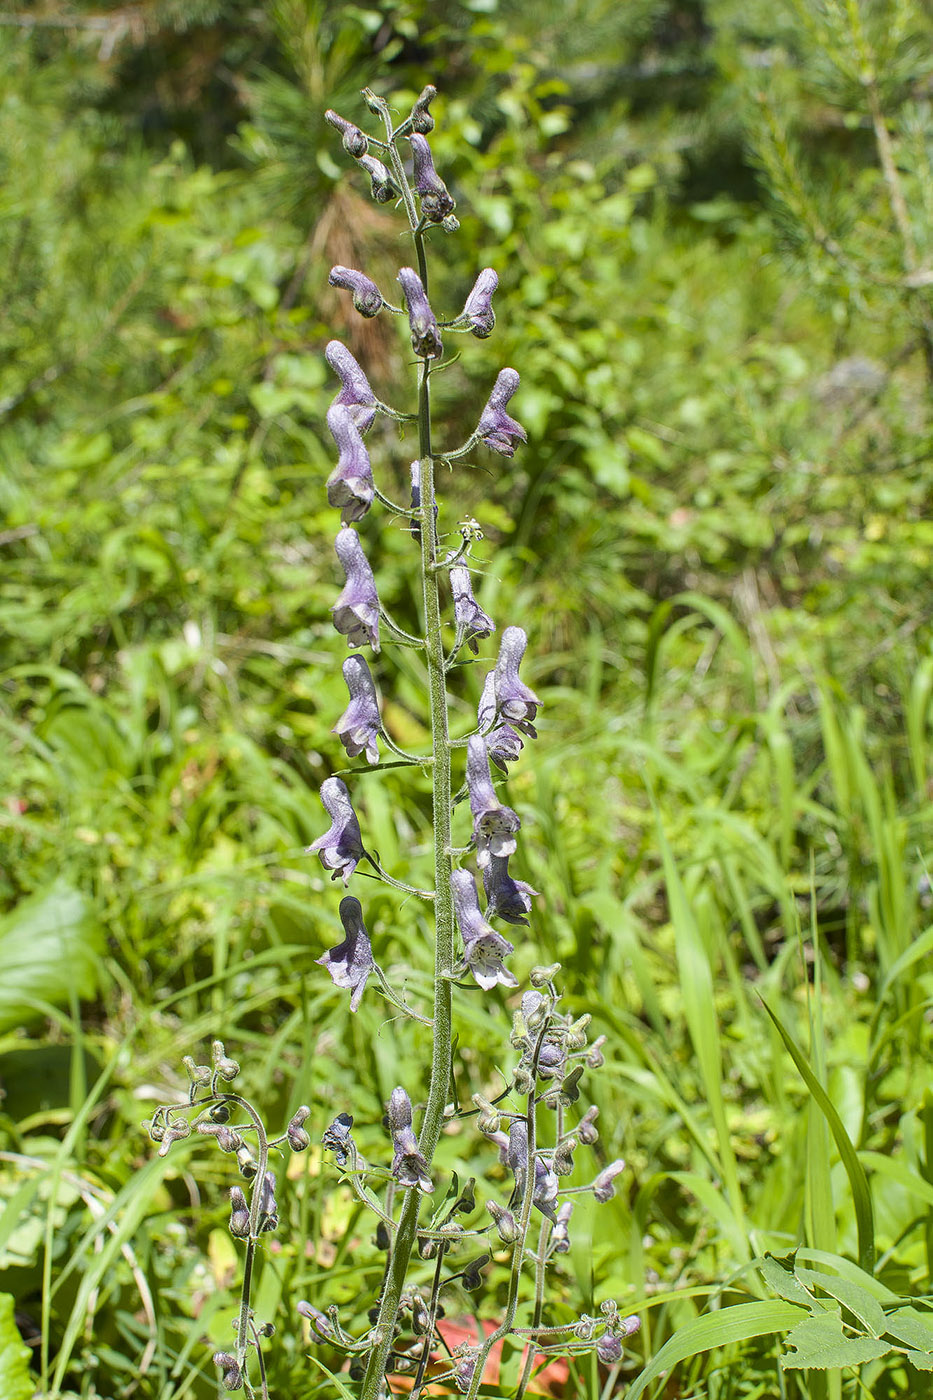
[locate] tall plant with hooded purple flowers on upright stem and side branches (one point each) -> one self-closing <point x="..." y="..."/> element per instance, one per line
<point x="534" y="1125"/>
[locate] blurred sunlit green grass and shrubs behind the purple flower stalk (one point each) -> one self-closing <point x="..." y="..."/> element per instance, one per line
<point x="715" y="281"/>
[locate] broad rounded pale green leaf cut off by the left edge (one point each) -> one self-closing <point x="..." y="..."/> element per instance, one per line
<point x="51" y="948"/>
